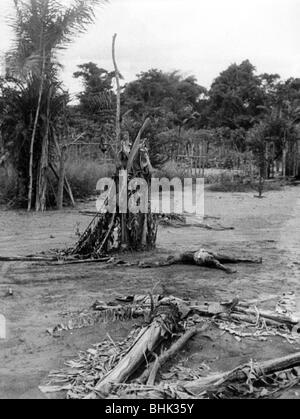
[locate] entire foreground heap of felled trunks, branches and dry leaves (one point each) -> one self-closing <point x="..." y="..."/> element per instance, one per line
<point x="131" y="368"/>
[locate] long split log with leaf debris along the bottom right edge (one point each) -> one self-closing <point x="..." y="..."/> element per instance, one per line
<point x="265" y="379"/>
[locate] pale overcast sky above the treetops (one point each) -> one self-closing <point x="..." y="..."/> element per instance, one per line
<point x="200" y="37"/>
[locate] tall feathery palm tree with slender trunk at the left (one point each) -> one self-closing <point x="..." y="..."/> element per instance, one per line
<point x="42" y="28"/>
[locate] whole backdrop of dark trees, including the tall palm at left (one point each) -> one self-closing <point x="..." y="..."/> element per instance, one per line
<point x="241" y="112"/>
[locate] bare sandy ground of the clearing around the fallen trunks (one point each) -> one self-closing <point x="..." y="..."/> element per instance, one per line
<point x="268" y="227"/>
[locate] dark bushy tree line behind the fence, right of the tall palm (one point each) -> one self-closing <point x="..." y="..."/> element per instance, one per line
<point x="242" y="111"/>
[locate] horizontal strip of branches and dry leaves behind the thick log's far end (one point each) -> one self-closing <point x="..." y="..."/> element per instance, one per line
<point x="228" y="316"/>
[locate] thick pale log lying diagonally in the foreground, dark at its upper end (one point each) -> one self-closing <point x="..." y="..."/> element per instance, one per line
<point x="164" y="324"/>
